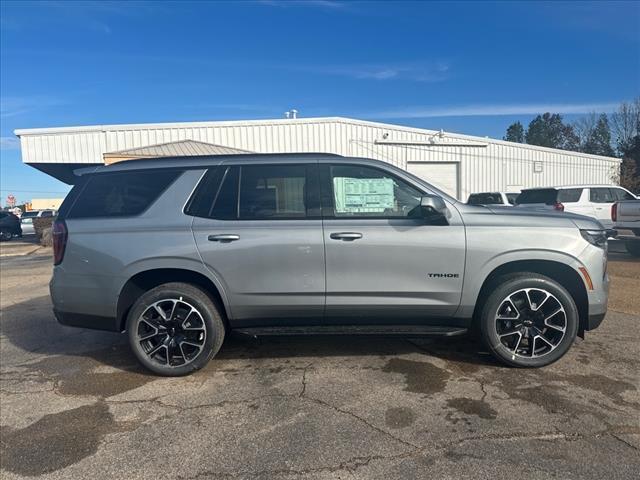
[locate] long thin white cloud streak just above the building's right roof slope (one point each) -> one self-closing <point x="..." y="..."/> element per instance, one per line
<point x="480" y="110"/>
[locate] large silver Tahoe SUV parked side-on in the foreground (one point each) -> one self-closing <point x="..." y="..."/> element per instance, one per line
<point x="179" y="252"/>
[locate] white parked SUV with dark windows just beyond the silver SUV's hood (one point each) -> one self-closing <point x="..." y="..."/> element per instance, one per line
<point x="591" y="200"/>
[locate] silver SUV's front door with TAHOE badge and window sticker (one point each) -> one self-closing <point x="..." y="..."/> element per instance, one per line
<point x="382" y="263"/>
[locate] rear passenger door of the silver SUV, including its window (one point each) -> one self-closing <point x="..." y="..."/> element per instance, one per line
<point x="262" y="239"/>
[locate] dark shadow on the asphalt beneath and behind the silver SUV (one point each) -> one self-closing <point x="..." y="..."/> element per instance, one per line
<point x="31" y="327"/>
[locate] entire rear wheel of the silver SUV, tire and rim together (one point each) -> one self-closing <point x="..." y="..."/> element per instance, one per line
<point x="175" y="329"/>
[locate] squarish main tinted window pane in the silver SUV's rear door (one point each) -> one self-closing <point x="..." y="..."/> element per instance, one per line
<point x="272" y="191"/>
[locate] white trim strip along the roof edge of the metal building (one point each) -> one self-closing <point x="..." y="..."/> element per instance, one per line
<point x="300" y="121"/>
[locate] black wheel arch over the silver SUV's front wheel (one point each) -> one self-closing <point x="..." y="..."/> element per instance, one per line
<point x="562" y="273"/>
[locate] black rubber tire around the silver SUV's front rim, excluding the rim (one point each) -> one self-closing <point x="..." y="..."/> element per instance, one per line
<point x="488" y="328"/>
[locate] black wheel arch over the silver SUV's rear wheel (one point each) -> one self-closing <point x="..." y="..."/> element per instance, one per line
<point x="145" y="280"/>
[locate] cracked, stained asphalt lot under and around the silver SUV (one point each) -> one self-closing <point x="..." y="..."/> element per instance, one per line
<point x="74" y="403"/>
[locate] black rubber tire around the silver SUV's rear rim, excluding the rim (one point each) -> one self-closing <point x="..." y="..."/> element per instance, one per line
<point x="192" y="295"/>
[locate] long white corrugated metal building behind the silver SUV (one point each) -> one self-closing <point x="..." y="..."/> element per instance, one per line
<point x="460" y="164"/>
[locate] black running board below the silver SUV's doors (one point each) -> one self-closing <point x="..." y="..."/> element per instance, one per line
<point x="383" y="330"/>
